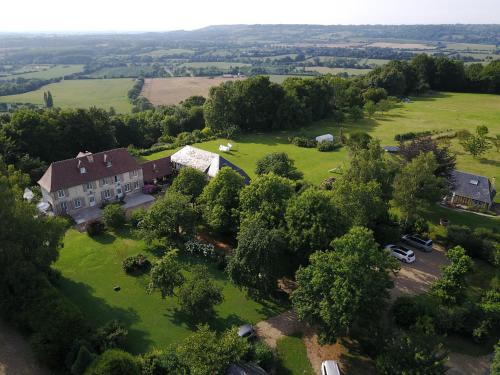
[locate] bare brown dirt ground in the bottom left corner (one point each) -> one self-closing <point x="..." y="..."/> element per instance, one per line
<point x="16" y="357"/>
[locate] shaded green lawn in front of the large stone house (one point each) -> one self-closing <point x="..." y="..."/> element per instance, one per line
<point x="91" y="267"/>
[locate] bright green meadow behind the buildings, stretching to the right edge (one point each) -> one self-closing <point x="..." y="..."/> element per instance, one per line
<point x="443" y="111"/>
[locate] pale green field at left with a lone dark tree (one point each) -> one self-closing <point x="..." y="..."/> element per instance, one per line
<point x="102" y="93"/>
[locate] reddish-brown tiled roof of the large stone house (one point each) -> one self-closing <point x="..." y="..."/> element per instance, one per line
<point x="66" y="173"/>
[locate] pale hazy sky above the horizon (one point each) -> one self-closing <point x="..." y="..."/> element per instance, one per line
<point x="159" y="15"/>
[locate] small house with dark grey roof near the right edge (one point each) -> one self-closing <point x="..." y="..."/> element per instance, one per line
<point x="472" y="190"/>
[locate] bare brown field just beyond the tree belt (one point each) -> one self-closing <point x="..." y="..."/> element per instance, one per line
<point x="164" y="91"/>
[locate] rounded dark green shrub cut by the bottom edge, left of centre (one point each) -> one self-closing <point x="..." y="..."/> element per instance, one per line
<point x="114" y="362"/>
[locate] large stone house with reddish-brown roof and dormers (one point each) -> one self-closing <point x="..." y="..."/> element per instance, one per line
<point x="90" y="180"/>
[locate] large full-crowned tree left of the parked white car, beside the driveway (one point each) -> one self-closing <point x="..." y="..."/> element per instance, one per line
<point x="347" y="286"/>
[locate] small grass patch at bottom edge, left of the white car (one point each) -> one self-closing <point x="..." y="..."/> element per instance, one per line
<point x="292" y="354"/>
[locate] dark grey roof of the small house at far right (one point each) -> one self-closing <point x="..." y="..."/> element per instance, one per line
<point x="473" y="186"/>
